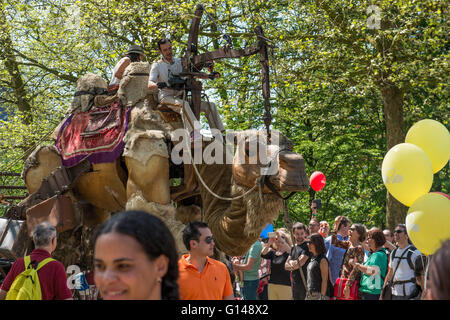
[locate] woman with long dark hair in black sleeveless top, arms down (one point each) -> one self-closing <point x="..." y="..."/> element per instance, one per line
<point x="318" y="280"/>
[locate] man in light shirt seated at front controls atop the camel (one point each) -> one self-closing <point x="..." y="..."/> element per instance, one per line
<point x="160" y="73"/>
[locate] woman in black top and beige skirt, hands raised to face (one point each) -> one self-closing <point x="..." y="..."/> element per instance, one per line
<point x="277" y="251"/>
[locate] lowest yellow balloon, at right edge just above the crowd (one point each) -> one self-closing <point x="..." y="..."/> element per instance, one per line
<point x="428" y="222"/>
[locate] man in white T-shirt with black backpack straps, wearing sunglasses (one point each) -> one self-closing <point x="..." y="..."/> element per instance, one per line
<point x="401" y="265"/>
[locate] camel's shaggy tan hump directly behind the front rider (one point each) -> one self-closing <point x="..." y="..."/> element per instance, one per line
<point x="133" y="85"/>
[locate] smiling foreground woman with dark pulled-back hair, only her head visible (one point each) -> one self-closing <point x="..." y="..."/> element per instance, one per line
<point x="135" y="258"/>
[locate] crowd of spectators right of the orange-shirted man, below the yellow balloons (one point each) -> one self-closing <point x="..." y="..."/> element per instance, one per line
<point x="349" y="262"/>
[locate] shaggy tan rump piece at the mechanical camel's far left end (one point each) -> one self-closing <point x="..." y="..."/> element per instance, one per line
<point x="42" y="161"/>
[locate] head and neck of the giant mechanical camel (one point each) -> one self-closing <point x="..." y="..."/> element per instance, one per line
<point x="237" y="222"/>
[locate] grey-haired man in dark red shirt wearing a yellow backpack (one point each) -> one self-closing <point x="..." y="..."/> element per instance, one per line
<point x="37" y="276"/>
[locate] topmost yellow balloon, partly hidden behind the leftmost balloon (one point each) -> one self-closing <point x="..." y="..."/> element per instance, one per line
<point x="433" y="138"/>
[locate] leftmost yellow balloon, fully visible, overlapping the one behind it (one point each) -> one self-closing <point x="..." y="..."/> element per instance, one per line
<point x="407" y="173"/>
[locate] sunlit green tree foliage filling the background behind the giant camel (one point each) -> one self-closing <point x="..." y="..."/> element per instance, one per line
<point x="328" y="73"/>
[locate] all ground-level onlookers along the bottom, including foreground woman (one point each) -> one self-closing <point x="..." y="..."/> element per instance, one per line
<point x="135" y="258"/>
